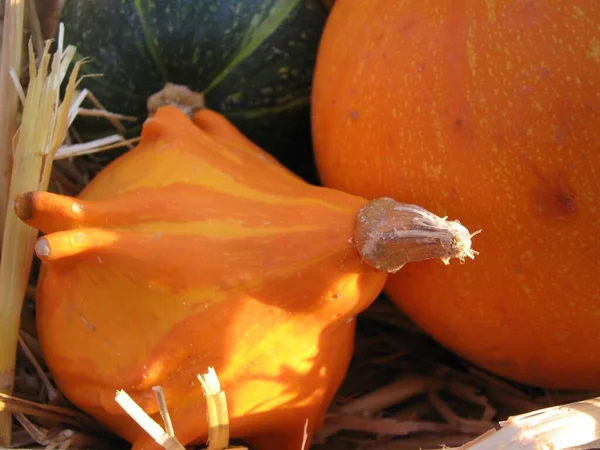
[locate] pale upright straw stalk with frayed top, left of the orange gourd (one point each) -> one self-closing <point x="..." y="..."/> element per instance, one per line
<point x="44" y="125"/>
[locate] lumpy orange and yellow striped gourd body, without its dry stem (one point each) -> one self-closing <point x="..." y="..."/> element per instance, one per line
<point x="197" y="249"/>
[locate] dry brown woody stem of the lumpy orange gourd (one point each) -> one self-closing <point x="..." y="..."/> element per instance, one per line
<point x="390" y="234"/>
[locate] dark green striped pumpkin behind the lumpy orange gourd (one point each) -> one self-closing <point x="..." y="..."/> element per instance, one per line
<point x="253" y="59"/>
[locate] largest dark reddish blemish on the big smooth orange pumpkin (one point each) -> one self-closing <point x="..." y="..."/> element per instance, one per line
<point x="553" y="198"/>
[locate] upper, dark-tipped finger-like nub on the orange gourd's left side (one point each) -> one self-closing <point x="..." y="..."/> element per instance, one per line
<point x="48" y="212"/>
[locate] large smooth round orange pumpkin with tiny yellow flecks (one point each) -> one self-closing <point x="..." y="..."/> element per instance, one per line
<point x="490" y="112"/>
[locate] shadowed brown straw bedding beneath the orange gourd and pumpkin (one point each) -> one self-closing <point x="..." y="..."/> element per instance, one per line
<point x="403" y="392"/>
